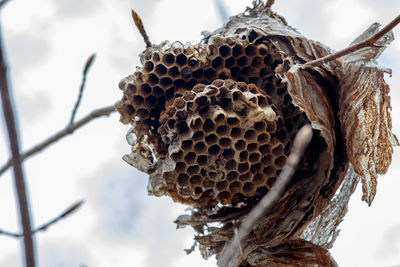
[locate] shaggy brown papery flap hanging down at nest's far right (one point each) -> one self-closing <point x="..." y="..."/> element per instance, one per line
<point x="365" y="113"/>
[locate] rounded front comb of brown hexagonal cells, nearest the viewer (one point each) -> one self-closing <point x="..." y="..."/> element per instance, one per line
<point x="220" y="143"/>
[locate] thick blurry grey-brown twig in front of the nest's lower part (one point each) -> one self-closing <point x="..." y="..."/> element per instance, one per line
<point x="302" y="139"/>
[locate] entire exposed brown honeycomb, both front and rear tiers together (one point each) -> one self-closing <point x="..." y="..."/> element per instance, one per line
<point x="187" y="100"/>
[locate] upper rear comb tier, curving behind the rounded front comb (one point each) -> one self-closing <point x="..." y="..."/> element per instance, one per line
<point x="172" y="67"/>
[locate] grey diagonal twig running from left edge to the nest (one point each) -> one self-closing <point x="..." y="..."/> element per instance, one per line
<point x="62" y="133"/>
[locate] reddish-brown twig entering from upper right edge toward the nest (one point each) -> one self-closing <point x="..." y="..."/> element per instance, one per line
<point x="370" y="42"/>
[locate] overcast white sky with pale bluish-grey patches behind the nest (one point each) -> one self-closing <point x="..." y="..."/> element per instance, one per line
<point x="119" y="225"/>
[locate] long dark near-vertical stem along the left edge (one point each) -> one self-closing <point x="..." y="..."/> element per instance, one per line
<point x="9" y="117"/>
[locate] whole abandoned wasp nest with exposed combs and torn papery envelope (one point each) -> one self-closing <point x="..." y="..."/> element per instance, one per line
<point x="213" y="125"/>
